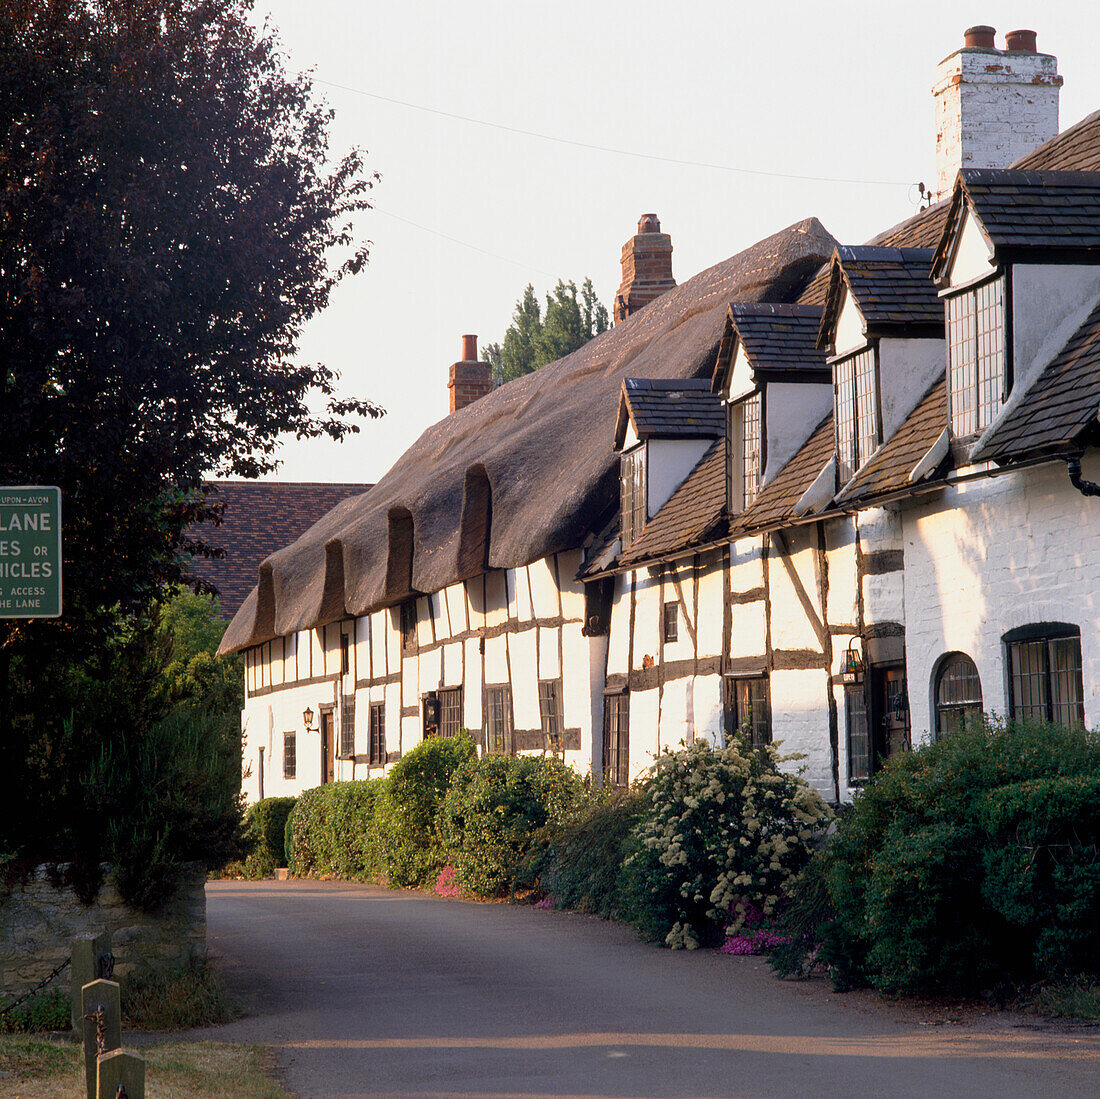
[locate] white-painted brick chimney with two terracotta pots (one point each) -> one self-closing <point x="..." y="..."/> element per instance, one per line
<point x="993" y="106"/>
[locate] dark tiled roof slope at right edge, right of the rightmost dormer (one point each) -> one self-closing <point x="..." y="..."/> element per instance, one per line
<point x="1060" y="408"/>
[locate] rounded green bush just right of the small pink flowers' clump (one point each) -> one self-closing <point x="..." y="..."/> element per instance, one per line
<point x="493" y="810"/>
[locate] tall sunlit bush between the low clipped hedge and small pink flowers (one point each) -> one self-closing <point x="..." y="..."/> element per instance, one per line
<point x="408" y="812"/>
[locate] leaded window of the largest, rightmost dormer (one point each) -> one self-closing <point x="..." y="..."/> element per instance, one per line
<point x="976" y="357"/>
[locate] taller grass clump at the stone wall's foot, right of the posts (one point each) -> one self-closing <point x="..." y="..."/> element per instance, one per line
<point x="178" y="998"/>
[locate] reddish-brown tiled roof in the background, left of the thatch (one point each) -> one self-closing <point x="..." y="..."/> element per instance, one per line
<point x="260" y="519"/>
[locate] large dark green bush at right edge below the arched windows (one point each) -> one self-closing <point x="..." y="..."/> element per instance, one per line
<point x="970" y="865"/>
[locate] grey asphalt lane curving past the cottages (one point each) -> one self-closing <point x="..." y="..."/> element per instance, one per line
<point x="364" y="992"/>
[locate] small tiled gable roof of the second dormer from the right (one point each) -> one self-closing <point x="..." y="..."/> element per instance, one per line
<point x="892" y="287"/>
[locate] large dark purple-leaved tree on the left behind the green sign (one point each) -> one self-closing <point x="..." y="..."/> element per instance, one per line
<point x="170" y="219"/>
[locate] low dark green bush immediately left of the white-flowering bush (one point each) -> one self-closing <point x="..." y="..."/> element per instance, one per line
<point x="580" y="863"/>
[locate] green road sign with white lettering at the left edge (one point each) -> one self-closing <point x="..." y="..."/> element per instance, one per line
<point x="30" y="552"/>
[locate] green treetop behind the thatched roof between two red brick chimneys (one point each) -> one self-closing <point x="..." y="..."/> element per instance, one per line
<point x="532" y="342"/>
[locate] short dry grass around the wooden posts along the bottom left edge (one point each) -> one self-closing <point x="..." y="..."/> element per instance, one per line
<point x="37" y="1069"/>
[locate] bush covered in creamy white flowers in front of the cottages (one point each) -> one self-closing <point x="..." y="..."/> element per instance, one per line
<point x="727" y="831"/>
